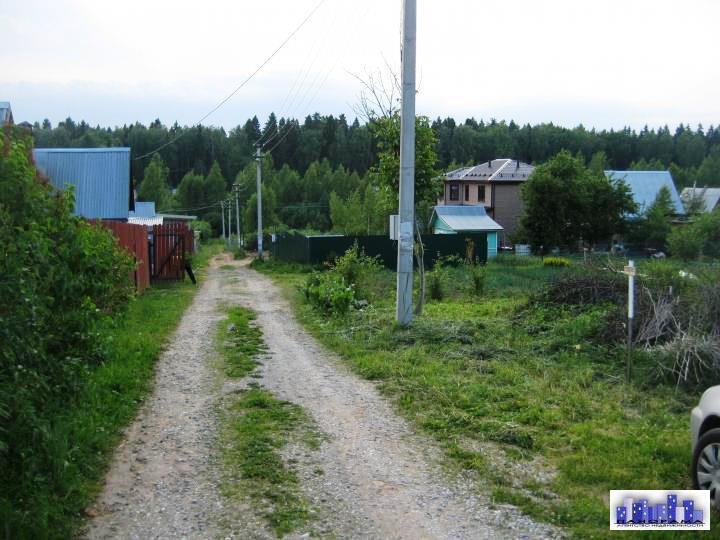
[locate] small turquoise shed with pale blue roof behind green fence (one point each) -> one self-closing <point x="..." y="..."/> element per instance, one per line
<point x="453" y="219"/>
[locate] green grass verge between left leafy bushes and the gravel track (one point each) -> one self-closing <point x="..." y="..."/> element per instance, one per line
<point x="85" y="433"/>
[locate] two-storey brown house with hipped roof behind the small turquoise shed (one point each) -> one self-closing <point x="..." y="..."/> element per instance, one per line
<point x="495" y="186"/>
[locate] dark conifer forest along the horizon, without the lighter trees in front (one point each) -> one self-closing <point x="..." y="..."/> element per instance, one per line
<point x="692" y="154"/>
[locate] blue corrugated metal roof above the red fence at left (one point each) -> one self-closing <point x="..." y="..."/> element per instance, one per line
<point x="101" y="177"/>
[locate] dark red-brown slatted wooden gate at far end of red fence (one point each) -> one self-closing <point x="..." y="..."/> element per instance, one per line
<point x="170" y="245"/>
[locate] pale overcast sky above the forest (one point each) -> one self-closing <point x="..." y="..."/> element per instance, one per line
<point x="604" y="64"/>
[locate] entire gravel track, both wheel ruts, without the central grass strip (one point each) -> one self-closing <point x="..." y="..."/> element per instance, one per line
<point x="380" y="480"/>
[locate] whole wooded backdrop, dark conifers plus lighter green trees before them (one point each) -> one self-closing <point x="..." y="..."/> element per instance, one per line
<point x="327" y="174"/>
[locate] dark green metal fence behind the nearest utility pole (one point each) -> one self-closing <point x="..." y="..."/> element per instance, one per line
<point x="295" y="247"/>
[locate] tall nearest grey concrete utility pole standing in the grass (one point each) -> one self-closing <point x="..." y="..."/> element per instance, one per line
<point x="404" y="312"/>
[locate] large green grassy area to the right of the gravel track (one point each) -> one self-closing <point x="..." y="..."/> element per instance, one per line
<point x="522" y="394"/>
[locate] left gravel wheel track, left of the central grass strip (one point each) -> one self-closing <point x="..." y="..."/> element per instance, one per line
<point x="163" y="482"/>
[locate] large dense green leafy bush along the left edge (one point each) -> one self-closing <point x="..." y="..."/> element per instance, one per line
<point x="62" y="279"/>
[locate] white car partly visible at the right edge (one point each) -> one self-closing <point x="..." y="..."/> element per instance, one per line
<point x="705" y="428"/>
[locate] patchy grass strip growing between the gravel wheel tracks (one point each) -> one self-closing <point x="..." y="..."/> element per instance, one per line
<point x="256" y="427"/>
